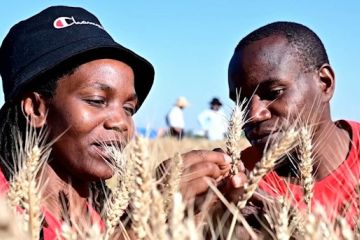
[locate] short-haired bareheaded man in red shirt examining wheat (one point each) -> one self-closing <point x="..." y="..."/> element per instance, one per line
<point x="284" y="72"/>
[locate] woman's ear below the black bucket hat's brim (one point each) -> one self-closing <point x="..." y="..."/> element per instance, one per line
<point x="35" y="109"/>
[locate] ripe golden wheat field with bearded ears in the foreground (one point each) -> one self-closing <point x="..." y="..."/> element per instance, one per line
<point x="143" y="205"/>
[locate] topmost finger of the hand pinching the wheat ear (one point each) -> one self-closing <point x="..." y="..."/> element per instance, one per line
<point x="197" y="156"/>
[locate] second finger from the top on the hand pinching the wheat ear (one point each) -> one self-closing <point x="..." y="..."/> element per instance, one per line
<point x="208" y="169"/>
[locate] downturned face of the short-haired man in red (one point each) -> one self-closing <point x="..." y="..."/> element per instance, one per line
<point x="268" y="74"/>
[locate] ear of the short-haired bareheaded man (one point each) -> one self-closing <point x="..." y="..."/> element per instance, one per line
<point x="327" y="81"/>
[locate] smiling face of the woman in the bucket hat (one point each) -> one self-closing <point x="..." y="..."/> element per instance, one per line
<point x="94" y="104"/>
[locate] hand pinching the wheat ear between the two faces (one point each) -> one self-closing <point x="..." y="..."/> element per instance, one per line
<point x="202" y="166"/>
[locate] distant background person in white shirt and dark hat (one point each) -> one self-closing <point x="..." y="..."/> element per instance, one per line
<point x="213" y="121"/>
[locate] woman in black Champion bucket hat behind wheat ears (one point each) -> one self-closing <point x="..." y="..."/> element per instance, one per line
<point x="61" y="70"/>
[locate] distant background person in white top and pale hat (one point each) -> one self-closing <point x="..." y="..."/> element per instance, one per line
<point x="175" y="118"/>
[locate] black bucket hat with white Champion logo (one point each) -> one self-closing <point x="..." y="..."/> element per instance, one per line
<point x="54" y="36"/>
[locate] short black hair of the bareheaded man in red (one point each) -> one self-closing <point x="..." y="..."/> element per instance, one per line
<point x="307" y="45"/>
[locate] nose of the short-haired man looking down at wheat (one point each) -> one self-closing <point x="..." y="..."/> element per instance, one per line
<point x="258" y="110"/>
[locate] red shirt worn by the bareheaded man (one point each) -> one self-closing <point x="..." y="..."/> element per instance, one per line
<point x="334" y="192"/>
